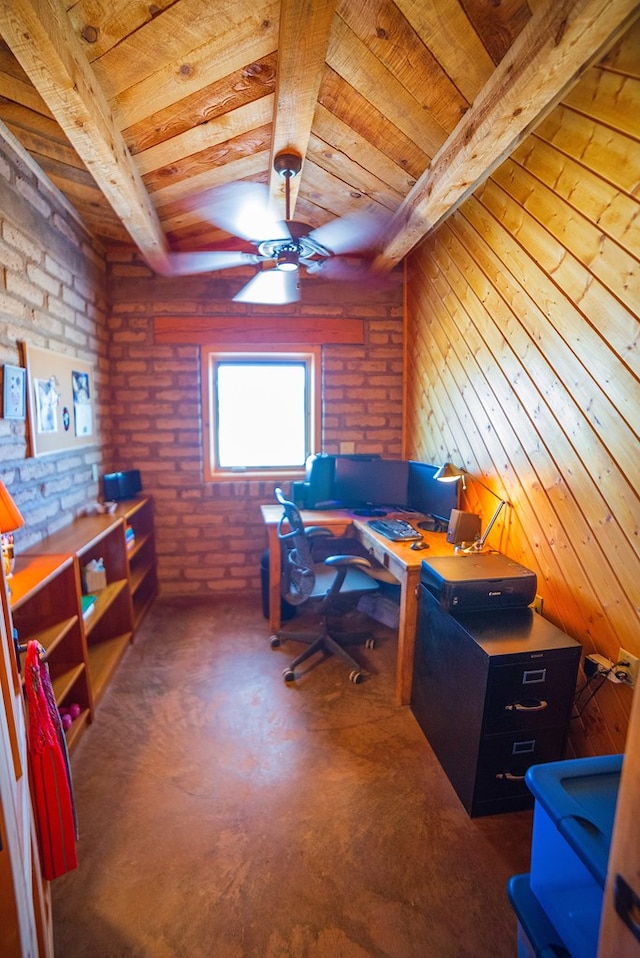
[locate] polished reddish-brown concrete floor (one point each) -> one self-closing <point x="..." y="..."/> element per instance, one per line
<point x="224" y="814"/>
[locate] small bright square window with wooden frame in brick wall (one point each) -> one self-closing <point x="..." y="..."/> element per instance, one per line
<point x="261" y="412"/>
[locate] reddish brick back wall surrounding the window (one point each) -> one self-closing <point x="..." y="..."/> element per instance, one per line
<point x="210" y="535"/>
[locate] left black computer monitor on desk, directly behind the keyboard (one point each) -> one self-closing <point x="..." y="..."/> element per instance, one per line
<point x="360" y="482"/>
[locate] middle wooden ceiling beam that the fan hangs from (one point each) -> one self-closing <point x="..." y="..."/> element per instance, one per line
<point x="305" y="26"/>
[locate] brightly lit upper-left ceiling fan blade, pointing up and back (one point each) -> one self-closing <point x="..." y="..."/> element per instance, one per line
<point x="244" y="209"/>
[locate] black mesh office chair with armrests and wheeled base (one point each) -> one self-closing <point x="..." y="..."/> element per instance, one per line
<point x="316" y="565"/>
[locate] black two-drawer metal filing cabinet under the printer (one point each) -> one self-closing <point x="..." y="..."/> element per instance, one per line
<point x="492" y="691"/>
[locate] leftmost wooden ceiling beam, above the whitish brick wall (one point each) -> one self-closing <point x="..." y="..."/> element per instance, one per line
<point x="44" y="43"/>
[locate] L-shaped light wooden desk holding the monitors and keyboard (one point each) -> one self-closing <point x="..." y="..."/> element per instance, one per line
<point x="401" y="561"/>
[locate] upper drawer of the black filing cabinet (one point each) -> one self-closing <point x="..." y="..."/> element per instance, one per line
<point x="530" y="695"/>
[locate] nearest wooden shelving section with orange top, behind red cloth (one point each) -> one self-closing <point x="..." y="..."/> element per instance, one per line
<point x="45" y="607"/>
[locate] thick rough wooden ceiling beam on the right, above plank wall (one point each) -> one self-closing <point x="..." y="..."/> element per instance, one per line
<point x="561" y="40"/>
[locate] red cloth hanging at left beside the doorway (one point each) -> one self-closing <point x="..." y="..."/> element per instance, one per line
<point x="52" y="794"/>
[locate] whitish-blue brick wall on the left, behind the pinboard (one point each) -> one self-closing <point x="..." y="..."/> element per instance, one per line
<point x="52" y="295"/>
